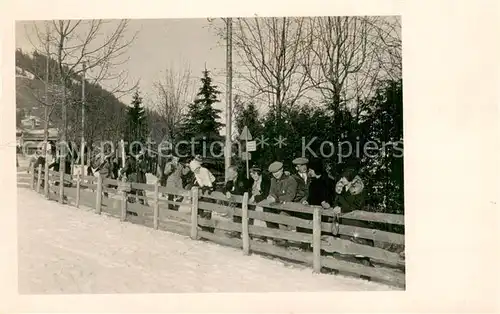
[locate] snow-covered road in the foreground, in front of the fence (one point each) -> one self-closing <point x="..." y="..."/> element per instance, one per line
<point x="63" y="249"/>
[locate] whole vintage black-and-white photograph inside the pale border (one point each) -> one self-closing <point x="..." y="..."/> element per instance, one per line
<point x="217" y="154"/>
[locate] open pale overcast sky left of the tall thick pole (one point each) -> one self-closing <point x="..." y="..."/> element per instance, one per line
<point x="161" y="44"/>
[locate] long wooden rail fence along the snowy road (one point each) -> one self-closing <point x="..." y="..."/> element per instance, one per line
<point x="359" y="243"/>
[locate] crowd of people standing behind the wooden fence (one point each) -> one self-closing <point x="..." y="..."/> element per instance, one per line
<point x="308" y="184"/>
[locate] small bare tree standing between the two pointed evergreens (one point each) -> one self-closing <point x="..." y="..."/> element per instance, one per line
<point x="173" y="93"/>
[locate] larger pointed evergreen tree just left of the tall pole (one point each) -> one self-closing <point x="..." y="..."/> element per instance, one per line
<point x="201" y="119"/>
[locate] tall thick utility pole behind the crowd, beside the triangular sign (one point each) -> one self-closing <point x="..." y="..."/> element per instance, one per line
<point x="229" y="94"/>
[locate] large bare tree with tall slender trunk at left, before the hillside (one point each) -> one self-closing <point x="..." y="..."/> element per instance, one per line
<point x="77" y="42"/>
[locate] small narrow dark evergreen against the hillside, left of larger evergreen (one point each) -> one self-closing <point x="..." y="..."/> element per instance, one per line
<point x="137" y="124"/>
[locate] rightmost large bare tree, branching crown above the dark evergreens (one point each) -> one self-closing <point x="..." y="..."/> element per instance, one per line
<point x="348" y="56"/>
